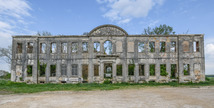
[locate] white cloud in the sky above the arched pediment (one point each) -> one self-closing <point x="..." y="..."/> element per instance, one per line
<point x="123" y="11"/>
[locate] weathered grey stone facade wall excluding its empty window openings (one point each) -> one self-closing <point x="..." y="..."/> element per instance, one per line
<point x="125" y="52"/>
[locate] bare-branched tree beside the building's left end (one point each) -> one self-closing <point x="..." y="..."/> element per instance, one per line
<point x="6" y="54"/>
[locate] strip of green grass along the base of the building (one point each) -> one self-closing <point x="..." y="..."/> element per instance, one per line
<point x="8" y="87"/>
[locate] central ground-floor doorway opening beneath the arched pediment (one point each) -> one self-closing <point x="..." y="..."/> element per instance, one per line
<point x="108" y="70"/>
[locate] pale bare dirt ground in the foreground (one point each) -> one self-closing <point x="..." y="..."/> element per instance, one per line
<point x="159" y="97"/>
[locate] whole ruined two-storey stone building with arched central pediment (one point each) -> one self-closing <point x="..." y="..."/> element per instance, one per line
<point x="108" y="52"/>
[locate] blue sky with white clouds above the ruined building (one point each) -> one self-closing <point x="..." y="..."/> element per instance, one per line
<point x="74" y="17"/>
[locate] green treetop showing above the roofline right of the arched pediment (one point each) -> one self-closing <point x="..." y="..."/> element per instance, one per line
<point x="161" y="30"/>
